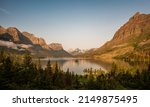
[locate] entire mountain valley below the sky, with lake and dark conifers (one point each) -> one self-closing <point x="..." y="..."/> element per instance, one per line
<point x="28" y="62"/>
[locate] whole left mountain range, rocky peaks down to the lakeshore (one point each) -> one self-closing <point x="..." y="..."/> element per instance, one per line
<point x="12" y="39"/>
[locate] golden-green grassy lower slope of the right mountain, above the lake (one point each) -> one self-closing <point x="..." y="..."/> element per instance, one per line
<point x="137" y="46"/>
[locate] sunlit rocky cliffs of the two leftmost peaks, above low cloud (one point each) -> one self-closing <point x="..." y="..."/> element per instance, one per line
<point x="14" y="35"/>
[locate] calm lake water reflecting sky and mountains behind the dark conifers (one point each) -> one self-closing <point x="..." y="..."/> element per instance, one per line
<point x="78" y="65"/>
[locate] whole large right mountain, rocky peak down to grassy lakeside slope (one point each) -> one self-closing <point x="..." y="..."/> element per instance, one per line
<point x="131" y="40"/>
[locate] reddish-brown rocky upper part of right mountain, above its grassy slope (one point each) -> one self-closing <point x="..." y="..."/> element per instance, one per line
<point x="137" y="26"/>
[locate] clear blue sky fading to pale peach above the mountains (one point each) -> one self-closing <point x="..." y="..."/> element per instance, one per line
<point x="80" y="24"/>
